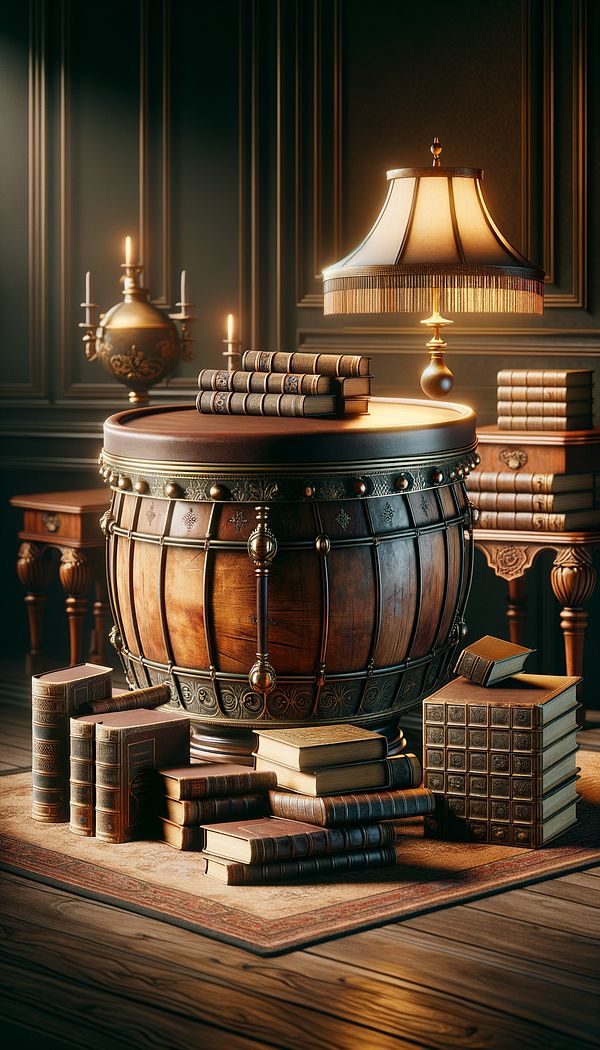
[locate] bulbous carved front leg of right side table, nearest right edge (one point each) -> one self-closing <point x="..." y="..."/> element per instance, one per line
<point x="573" y="580"/>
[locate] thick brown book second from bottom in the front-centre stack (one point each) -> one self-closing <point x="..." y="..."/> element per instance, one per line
<point x="274" y="838"/>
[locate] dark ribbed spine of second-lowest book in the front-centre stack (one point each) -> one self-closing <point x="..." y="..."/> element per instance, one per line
<point x="325" y="841"/>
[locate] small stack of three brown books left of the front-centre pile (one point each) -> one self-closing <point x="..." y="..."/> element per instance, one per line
<point x="189" y="797"/>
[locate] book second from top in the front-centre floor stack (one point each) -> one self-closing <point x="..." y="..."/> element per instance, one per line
<point x="399" y="771"/>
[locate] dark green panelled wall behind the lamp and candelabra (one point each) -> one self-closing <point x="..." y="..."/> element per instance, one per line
<point x="249" y="143"/>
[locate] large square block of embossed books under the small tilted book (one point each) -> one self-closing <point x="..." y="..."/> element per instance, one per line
<point x="501" y="761"/>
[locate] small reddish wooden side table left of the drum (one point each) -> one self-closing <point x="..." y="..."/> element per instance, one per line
<point x="68" y="522"/>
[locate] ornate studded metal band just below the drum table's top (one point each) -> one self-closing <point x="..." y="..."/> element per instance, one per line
<point x="235" y="484"/>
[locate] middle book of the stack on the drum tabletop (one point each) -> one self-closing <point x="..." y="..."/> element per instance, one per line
<point x="283" y="383"/>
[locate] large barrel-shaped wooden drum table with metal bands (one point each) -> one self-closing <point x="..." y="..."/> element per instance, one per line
<point x="282" y="573"/>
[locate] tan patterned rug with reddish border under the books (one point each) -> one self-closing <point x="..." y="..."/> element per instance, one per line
<point x="156" y="880"/>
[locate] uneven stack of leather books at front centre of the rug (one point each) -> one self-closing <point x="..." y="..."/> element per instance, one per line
<point x="341" y="806"/>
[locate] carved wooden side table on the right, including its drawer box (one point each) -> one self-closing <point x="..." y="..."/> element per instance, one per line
<point x="512" y="553"/>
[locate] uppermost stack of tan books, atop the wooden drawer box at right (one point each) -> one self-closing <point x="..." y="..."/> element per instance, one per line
<point x="546" y="400"/>
